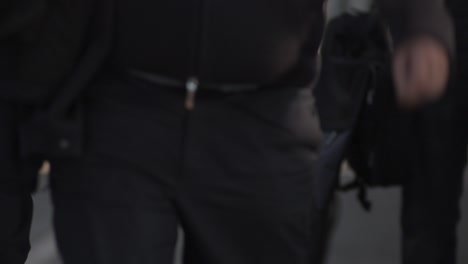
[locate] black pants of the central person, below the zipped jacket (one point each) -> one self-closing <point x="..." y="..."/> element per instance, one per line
<point x="235" y="173"/>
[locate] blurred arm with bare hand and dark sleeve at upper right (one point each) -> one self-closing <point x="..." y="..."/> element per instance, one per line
<point x="423" y="37"/>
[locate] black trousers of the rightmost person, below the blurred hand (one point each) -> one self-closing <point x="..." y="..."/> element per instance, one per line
<point x="431" y="196"/>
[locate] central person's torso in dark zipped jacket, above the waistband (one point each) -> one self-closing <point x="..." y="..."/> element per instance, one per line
<point x="218" y="41"/>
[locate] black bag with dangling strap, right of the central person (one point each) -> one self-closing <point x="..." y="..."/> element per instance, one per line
<point x="357" y="107"/>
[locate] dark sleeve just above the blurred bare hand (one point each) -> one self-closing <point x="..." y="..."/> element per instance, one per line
<point x="409" y="18"/>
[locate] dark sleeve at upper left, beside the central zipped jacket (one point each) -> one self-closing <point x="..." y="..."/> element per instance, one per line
<point x="58" y="44"/>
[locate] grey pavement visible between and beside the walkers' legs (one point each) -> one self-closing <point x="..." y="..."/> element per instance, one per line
<point x="359" y="238"/>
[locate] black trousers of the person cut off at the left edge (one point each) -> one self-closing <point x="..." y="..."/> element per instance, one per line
<point x="16" y="184"/>
